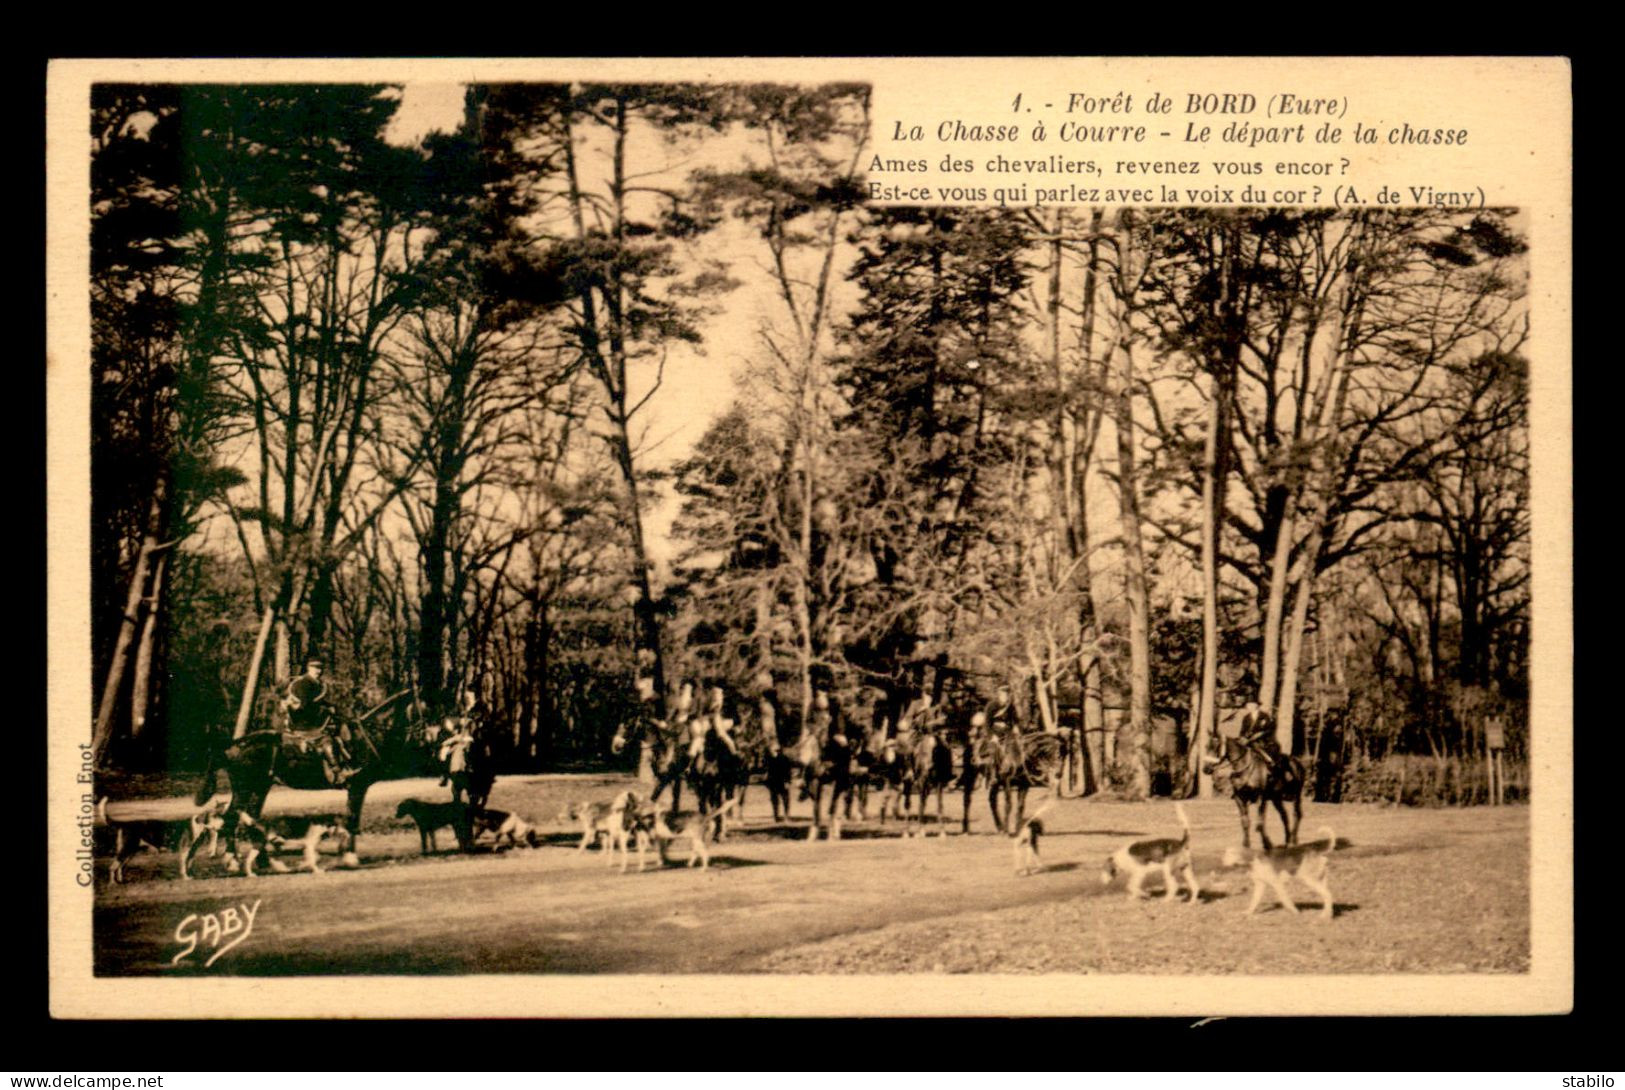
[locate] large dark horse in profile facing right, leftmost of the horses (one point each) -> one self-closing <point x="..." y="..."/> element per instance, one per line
<point x="262" y="759"/>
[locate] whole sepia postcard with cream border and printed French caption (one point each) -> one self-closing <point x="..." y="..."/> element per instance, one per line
<point x="810" y="537"/>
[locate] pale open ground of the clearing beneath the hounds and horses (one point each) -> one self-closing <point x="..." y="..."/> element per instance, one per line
<point x="1418" y="891"/>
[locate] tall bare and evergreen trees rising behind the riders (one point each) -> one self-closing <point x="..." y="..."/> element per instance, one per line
<point x="402" y="404"/>
